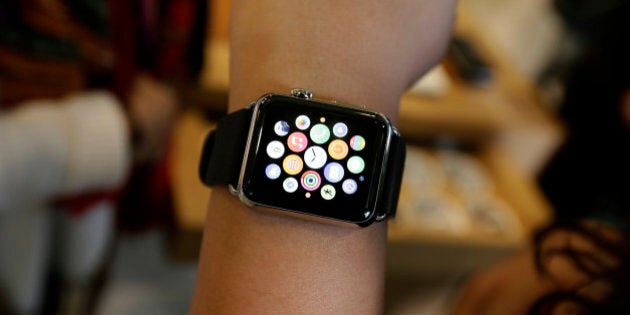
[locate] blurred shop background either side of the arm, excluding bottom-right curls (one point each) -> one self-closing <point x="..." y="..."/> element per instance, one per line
<point x="525" y="120"/>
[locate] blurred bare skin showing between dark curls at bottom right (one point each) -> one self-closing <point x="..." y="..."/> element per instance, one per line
<point x="514" y="285"/>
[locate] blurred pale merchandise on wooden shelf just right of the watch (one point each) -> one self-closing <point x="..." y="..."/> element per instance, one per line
<point x="450" y="192"/>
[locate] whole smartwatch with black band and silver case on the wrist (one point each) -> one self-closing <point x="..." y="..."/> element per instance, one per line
<point x="297" y="154"/>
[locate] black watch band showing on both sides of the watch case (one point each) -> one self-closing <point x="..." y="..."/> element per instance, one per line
<point x="223" y="166"/>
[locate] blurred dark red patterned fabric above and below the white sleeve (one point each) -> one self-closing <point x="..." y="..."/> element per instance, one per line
<point x="52" y="48"/>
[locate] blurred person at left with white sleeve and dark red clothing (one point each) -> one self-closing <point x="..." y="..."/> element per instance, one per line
<point x="88" y="94"/>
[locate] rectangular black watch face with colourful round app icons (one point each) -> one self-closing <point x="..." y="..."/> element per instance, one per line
<point x="315" y="158"/>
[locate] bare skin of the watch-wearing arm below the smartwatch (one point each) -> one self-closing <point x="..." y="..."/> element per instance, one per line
<point x="270" y="260"/>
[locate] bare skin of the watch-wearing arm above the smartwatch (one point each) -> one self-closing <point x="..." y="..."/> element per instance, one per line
<point x="366" y="52"/>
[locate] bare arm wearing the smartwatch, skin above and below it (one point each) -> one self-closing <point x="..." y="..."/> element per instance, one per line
<point x="364" y="52"/>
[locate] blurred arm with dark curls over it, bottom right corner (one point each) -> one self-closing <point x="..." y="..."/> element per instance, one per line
<point x="571" y="268"/>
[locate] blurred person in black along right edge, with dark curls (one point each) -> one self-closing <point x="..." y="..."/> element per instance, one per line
<point x="580" y="264"/>
